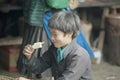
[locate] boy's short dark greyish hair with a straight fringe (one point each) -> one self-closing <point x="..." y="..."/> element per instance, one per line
<point x="65" y="22"/>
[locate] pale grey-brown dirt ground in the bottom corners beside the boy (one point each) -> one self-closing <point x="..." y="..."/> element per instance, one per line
<point x="103" y="71"/>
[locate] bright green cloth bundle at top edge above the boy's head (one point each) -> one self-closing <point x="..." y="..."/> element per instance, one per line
<point x="57" y="4"/>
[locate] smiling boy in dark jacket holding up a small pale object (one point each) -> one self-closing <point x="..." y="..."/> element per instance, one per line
<point x="67" y="59"/>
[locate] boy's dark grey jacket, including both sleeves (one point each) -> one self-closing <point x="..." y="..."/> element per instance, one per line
<point x="76" y="64"/>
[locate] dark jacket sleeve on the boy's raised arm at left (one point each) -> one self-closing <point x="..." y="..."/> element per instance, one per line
<point x="38" y="65"/>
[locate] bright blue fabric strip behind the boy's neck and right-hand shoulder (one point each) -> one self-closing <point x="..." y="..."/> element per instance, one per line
<point x="82" y="41"/>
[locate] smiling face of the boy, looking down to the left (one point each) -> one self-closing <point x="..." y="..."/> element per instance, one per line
<point x="59" y="38"/>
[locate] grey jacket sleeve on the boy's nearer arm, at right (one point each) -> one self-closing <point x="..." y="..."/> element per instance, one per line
<point x="77" y="66"/>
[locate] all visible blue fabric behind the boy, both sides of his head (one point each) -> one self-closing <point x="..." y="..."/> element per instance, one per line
<point x="80" y="38"/>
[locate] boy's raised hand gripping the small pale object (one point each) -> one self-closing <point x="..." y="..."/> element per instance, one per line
<point x="28" y="51"/>
